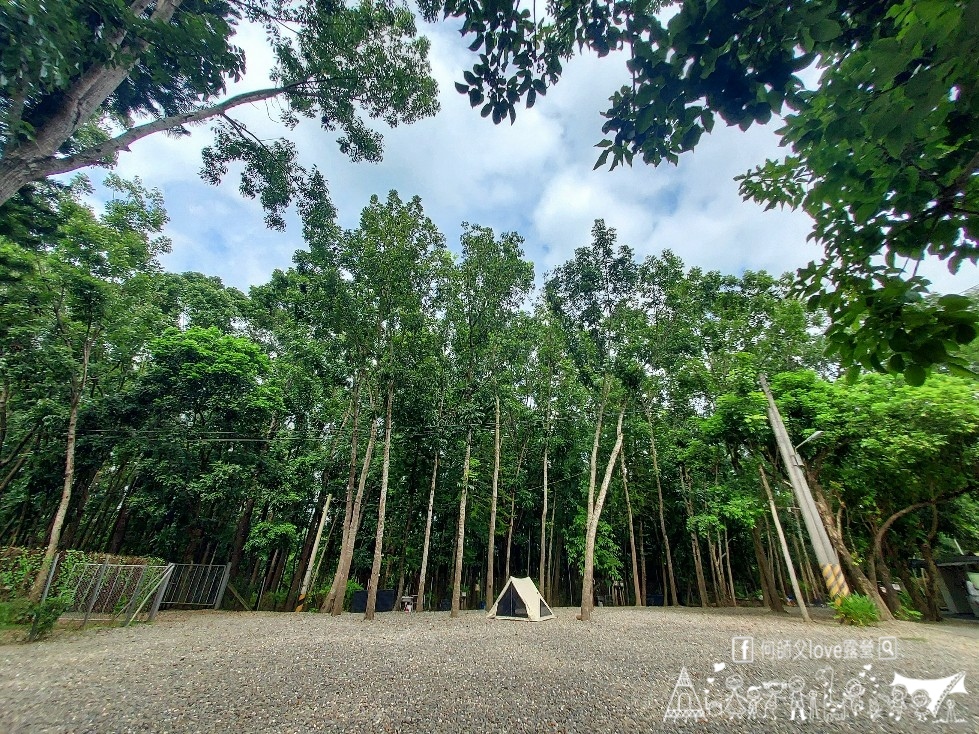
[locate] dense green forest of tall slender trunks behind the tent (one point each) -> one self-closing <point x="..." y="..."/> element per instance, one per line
<point x="456" y="422"/>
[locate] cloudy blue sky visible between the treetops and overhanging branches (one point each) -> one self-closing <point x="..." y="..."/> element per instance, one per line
<point x="534" y="177"/>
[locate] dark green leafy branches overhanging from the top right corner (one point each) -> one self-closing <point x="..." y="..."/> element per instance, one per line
<point x="884" y="150"/>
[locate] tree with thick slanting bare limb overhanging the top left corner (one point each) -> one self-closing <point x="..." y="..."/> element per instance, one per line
<point x="82" y="81"/>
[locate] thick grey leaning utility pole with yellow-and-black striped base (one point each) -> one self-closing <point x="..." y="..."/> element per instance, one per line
<point x="829" y="562"/>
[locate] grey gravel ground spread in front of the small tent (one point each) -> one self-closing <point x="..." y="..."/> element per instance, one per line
<point x="260" y="672"/>
